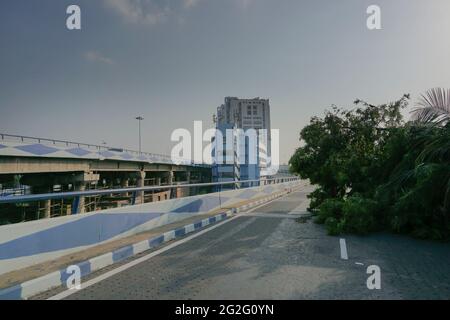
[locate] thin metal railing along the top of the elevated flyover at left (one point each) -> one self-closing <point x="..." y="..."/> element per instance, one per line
<point x="156" y="156"/>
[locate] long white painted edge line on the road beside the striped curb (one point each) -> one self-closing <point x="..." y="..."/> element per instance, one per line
<point x="131" y="264"/>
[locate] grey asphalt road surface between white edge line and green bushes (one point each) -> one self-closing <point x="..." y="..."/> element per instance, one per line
<point x="272" y="254"/>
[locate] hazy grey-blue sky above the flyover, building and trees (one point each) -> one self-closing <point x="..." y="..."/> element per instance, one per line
<point x="174" y="61"/>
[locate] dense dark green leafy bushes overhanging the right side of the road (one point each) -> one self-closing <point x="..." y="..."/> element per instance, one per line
<point x="374" y="171"/>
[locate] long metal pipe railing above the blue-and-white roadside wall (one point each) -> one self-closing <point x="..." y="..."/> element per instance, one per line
<point x="135" y="190"/>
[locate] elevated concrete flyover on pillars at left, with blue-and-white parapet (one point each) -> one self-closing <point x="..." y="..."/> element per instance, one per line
<point x="37" y="165"/>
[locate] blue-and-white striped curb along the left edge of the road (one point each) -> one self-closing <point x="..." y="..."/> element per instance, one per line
<point x="38" y="285"/>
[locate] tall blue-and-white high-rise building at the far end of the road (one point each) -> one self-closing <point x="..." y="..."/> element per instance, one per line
<point x="243" y="116"/>
